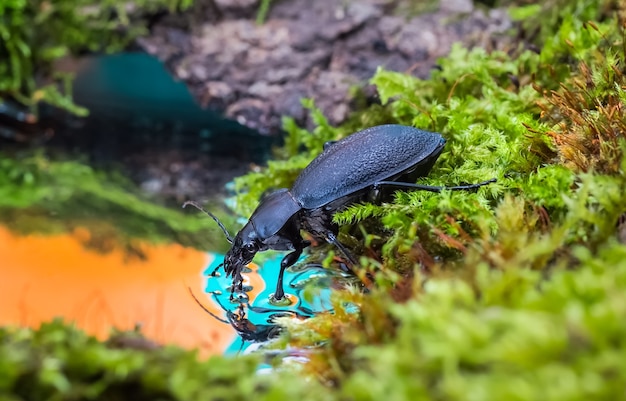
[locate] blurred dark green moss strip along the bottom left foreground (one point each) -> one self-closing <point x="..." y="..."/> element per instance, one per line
<point x="59" y="362"/>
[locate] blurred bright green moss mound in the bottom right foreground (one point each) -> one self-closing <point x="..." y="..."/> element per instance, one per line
<point x="524" y="338"/>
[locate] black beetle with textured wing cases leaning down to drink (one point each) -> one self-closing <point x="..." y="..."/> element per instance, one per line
<point x="350" y="170"/>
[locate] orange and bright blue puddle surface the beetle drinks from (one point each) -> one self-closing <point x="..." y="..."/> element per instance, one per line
<point x="168" y="292"/>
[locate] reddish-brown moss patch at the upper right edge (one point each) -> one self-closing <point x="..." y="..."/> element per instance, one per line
<point x="587" y="115"/>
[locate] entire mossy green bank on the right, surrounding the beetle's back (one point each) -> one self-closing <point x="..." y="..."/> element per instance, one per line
<point x="515" y="291"/>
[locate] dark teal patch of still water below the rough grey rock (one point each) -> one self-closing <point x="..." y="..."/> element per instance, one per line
<point x="135" y="103"/>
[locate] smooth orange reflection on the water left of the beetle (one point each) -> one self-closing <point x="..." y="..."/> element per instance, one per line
<point x="43" y="277"/>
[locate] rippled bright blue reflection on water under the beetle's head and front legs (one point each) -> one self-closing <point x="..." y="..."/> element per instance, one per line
<point x="261" y="310"/>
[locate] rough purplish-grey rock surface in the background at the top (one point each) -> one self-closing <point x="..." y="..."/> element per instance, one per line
<point x="317" y="49"/>
